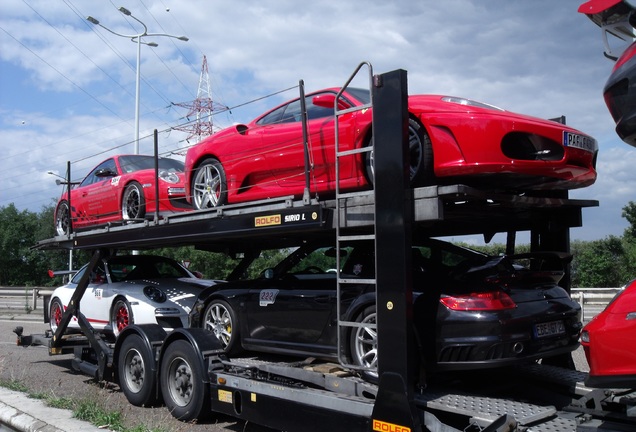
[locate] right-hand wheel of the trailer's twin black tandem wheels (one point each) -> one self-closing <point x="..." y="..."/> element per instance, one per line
<point x="184" y="391"/>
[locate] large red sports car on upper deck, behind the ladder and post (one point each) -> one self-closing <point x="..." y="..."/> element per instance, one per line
<point x="451" y="140"/>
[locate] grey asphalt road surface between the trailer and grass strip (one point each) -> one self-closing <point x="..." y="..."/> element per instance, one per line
<point x="41" y="373"/>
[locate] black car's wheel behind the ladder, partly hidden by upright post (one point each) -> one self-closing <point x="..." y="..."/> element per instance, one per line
<point x="363" y="344"/>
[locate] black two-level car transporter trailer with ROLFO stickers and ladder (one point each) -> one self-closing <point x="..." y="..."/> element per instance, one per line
<point x="188" y="371"/>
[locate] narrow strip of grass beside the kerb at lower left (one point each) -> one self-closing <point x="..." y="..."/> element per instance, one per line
<point x="86" y="410"/>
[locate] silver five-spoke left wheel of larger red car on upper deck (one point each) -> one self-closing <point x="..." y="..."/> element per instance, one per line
<point x="209" y="185"/>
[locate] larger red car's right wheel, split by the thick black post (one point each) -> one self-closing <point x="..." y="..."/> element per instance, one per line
<point x="420" y="157"/>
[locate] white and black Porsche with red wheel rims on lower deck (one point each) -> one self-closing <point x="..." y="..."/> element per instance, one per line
<point x="131" y="289"/>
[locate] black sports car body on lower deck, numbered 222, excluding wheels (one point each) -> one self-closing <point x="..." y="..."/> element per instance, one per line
<point x="295" y="312"/>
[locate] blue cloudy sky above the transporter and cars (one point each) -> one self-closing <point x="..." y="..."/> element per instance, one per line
<point x="67" y="87"/>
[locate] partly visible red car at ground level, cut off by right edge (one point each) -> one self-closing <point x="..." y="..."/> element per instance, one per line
<point x="608" y="341"/>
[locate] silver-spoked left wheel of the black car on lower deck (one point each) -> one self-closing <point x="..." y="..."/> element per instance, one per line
<point x="220" y="318"/>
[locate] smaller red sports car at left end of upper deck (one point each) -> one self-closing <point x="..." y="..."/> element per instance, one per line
<point x="122" y="188"/>
